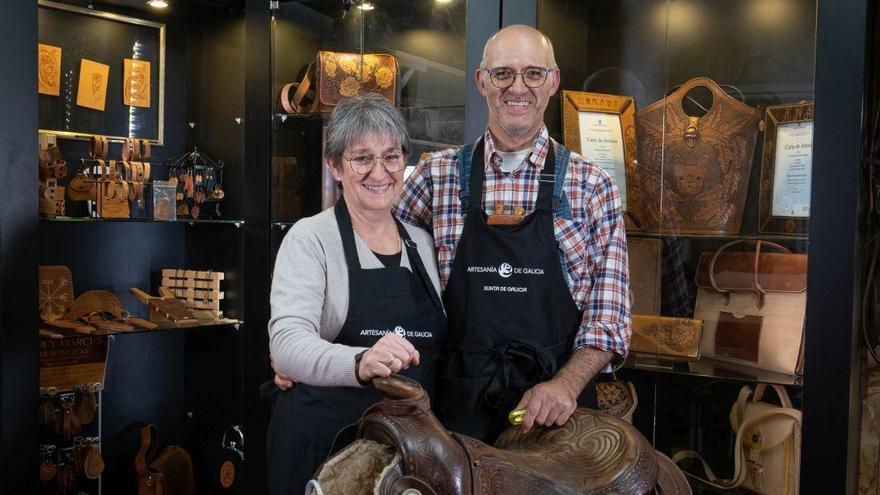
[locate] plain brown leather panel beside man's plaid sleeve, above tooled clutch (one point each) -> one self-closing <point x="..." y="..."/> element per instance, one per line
<point x="645" y="258"/>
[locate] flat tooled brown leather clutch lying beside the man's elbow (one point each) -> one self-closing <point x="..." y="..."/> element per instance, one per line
<point x="660" y="335"/>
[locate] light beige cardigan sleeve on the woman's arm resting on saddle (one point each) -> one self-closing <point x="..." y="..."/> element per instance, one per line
<point x="297" y="299"/>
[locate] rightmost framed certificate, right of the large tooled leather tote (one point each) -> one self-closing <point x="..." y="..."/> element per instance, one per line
<point x="786" y="169"/>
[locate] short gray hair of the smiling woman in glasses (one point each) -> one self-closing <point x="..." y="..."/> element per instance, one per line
<point x="356" y="117"/>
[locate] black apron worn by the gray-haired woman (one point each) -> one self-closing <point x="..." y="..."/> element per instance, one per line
<point x="307" y="418"/>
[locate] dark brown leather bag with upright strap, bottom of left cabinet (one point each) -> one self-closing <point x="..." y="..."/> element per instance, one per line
<point x="169" y="473"/>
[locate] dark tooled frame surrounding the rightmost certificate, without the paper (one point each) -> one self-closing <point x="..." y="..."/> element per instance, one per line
<point x="775" y="115"/>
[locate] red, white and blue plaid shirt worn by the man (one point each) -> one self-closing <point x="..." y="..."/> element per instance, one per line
<point x="592" y="245"/>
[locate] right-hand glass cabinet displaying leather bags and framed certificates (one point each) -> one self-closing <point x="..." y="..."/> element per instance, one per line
<point x="707" y="132"/>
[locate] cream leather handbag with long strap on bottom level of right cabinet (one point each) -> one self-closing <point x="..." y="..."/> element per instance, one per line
<point x="767" y="448"/>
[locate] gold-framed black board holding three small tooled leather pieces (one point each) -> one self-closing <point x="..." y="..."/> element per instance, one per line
<point x="111" y="40"/>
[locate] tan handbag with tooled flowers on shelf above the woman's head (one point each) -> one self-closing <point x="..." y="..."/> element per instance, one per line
<point x="340" y="75"/>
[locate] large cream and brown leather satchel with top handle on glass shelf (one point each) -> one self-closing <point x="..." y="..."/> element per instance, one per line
<point x="753" y="306"/>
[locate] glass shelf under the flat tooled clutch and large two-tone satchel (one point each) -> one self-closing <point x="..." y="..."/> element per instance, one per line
<point x="709" y="368"/>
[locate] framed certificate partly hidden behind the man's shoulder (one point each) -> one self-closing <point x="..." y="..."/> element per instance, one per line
<point x="601" y="128"/>
